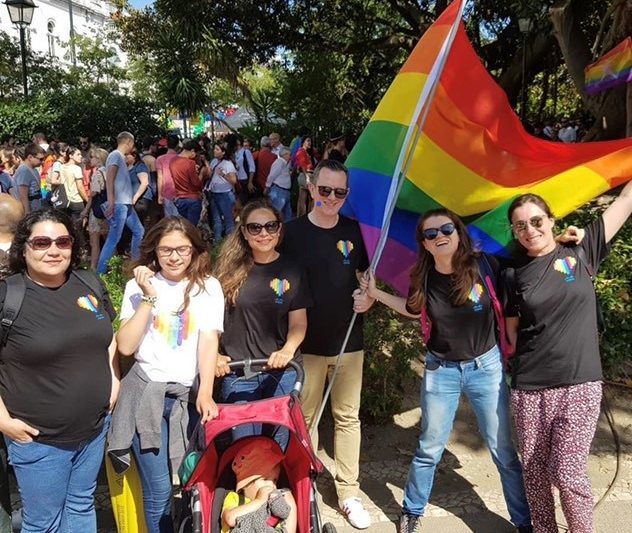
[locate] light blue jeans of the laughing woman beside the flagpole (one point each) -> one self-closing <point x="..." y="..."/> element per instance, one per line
<point x="483" y="382"/>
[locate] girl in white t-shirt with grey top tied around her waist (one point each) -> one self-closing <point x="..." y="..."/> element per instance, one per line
<point x="171" y="316"/>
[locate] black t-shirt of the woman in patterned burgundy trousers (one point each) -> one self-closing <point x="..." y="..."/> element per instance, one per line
<point x="555" y="299"/>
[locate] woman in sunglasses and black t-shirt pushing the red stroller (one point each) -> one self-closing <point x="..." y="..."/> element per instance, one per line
<point x="266" y="301"/>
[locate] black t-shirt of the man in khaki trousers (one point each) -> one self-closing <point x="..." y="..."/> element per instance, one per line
<point x="331" y="257"/>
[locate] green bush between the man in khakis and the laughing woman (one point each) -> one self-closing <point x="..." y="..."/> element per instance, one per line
<point x="390" y="344"/>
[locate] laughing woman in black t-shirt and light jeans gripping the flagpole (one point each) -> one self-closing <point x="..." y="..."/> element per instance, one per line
<point x="452" y="290"/>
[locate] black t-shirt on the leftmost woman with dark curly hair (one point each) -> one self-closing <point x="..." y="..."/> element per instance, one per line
<point x="54" y="371"/>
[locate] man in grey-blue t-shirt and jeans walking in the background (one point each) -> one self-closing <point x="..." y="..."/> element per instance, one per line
<point x="119" y="210"/>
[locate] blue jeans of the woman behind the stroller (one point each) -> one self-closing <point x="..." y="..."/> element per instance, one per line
<point x="266" y="385"/>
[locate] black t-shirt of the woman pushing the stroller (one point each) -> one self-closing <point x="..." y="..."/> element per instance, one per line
<point x="258" y="324"/>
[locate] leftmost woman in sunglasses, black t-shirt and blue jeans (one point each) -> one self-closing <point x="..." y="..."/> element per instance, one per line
<point x="57" y="379"/>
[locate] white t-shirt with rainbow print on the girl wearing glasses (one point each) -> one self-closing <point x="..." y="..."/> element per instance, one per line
<point x="169" y="349"/>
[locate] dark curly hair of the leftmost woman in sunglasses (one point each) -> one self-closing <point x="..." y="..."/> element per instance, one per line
<point x="24" y="230"/>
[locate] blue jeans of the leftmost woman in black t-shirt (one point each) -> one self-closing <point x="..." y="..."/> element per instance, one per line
<point x="57" y="483"/>
